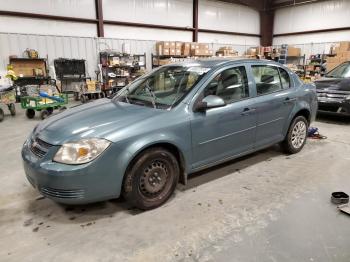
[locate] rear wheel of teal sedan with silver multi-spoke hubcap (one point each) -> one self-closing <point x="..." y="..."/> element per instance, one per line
<point x="293" y="143"/>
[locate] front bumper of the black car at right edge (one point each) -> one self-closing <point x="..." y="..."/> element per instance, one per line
<point x="334" y="106"/>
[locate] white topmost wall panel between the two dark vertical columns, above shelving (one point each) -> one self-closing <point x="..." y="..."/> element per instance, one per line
<point x="162" y="12"/>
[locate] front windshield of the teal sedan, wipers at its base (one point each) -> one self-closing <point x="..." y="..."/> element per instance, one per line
<point x="164" y="87"/>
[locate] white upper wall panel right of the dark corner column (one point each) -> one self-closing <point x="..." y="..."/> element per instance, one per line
<point x="323" y="15"/>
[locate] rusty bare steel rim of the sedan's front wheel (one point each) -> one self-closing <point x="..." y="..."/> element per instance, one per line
<point x="154" y="178"/>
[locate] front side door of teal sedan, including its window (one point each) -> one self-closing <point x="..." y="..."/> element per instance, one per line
<point x="225" y="132"/>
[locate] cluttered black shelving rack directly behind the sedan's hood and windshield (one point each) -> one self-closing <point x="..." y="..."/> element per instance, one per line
<point x="118" y="69"/>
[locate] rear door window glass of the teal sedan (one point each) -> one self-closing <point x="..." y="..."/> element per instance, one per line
<point x="267" y="79"/>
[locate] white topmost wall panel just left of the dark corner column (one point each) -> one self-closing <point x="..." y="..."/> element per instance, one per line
<point x="228" y="17"/>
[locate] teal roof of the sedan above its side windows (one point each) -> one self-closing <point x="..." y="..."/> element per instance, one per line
<point x="217" y="62"/>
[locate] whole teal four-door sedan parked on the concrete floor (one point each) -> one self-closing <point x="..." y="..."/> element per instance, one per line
<point x="166" y="125"/>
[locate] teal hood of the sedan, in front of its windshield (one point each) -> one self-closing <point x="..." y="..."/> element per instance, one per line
<point x="96" y="119"/>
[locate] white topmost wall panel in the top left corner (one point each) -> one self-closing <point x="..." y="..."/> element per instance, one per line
<point x="74" y="8"/>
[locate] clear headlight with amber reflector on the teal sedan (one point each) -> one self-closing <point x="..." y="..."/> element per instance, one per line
<point x="82" y="151"/>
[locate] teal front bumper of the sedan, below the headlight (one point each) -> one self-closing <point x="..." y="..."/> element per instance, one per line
<point x="72" y="184"/>
